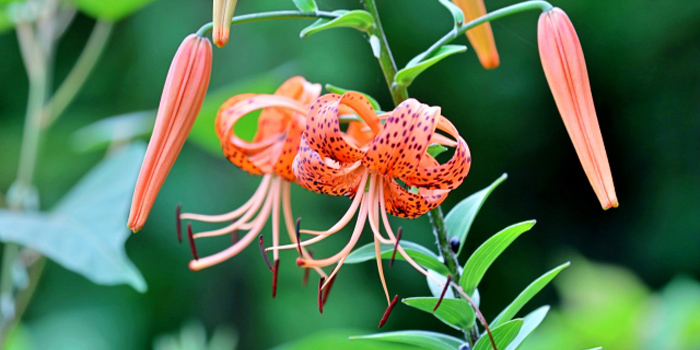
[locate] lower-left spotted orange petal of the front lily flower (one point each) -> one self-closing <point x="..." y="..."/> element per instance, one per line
<point x="323" y="175"/>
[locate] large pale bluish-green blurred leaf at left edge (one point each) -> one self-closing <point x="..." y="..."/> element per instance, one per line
<point x="87" y="230"/>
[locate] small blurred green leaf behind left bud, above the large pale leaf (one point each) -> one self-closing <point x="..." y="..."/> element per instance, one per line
<point x="117" y="129"/>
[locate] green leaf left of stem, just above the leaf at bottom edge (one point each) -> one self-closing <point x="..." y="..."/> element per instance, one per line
<point x="456" y="313"/>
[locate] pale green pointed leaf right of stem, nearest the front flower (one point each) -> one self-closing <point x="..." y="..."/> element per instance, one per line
<point x="459" y="220"/>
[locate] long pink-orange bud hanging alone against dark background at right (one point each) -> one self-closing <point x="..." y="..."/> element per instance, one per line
<point x="565" y="68"/>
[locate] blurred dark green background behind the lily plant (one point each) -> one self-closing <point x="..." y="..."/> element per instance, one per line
<point x="642" y="58"/>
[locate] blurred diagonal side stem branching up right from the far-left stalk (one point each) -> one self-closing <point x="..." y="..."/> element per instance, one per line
<point x="79" y="73"/>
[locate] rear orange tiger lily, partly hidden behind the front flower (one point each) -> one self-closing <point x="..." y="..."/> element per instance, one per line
<point x="270" y="154"/>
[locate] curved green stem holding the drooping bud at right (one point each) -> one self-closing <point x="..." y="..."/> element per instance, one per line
<point x="492" y="16"/>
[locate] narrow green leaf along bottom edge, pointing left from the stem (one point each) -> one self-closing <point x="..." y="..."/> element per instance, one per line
<point x="423" y="339"/>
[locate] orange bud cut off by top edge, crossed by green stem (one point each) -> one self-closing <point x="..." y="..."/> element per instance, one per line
<point x="481" y="37"/>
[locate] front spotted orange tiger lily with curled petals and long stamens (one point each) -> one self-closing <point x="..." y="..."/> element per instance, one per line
<point x="369" y="170"/>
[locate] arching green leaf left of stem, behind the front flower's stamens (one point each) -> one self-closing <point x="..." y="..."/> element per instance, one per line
<point x="422" y="255"/>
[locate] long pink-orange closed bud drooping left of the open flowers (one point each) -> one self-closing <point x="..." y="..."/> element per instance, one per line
<point x="183" y="94"/>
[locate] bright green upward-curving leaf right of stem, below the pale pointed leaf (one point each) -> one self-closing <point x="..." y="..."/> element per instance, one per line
<point x="487" y="253"/>
